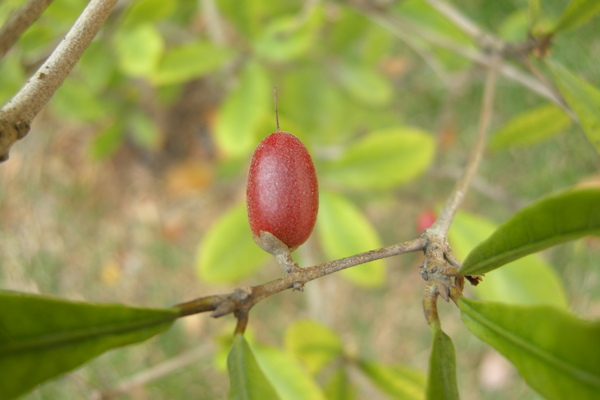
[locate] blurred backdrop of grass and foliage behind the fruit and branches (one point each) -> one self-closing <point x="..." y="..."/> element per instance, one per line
<point x="130" y="186"/>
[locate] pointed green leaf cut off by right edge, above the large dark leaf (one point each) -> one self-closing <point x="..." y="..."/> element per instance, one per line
<point x="584" y="100"/>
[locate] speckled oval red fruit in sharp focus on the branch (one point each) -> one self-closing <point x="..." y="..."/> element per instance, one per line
<point x="282" y="195"/>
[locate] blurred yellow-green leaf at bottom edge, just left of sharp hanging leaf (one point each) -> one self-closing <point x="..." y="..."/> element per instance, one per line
<point x="398" y="381"/>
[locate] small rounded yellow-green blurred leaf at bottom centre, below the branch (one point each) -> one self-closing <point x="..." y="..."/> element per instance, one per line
<point x="315" y="344"/>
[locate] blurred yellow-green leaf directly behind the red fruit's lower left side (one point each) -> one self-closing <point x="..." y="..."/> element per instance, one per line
<point x="227" y="252"/>
